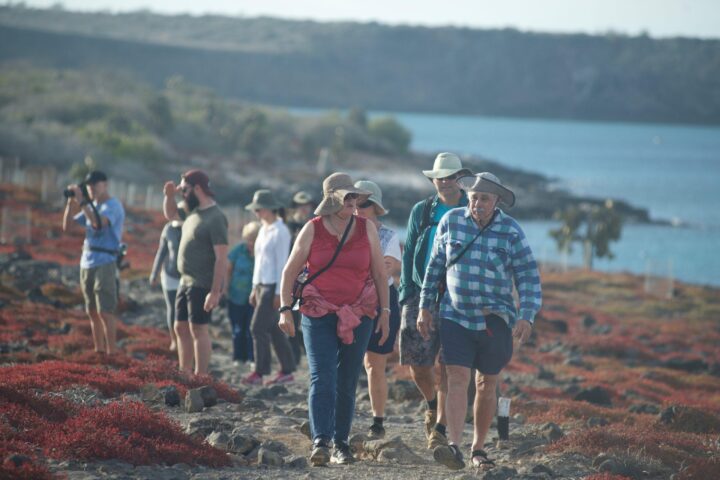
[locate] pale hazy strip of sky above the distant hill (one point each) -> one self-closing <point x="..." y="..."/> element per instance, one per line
<point x="660" y="18"/>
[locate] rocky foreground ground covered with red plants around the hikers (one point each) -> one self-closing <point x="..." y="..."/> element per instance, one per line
<point x="614" y="384"/>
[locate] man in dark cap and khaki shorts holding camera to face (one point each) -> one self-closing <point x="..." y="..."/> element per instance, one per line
<point x="90" y="206"/>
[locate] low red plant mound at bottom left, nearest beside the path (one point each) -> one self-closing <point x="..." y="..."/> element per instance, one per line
<point x="131" y="432"/>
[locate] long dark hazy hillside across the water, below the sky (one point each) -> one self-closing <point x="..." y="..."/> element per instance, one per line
<point x="380" y="67"/>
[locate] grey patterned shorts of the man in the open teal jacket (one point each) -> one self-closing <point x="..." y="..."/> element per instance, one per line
<point x="415" y="350"/>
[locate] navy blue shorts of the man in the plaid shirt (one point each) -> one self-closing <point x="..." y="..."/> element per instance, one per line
<point x="488" y="350"/>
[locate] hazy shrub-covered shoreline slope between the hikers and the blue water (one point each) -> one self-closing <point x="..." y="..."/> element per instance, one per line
<point x="146" y="135"/>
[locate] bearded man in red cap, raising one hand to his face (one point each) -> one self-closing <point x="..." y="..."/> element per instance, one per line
<point x="202" y="263"/>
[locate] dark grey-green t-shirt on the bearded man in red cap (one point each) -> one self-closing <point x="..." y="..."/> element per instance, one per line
<point x="202" y="230"/>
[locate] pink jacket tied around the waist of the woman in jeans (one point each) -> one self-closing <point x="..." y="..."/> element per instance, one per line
<point x="349" y="316"/>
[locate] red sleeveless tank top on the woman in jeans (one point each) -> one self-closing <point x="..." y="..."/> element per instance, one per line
<point x="342" y="283"/>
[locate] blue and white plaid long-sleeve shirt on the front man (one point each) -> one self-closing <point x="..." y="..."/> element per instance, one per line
<point x="481" y="282"/>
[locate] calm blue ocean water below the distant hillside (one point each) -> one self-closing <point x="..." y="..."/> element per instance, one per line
<point x="671" y="170"/>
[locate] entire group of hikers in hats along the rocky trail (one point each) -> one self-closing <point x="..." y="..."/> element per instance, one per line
<point x="325" y="286"/>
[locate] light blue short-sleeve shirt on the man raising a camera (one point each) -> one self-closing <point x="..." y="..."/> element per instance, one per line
<point x="107" y="238"/>
